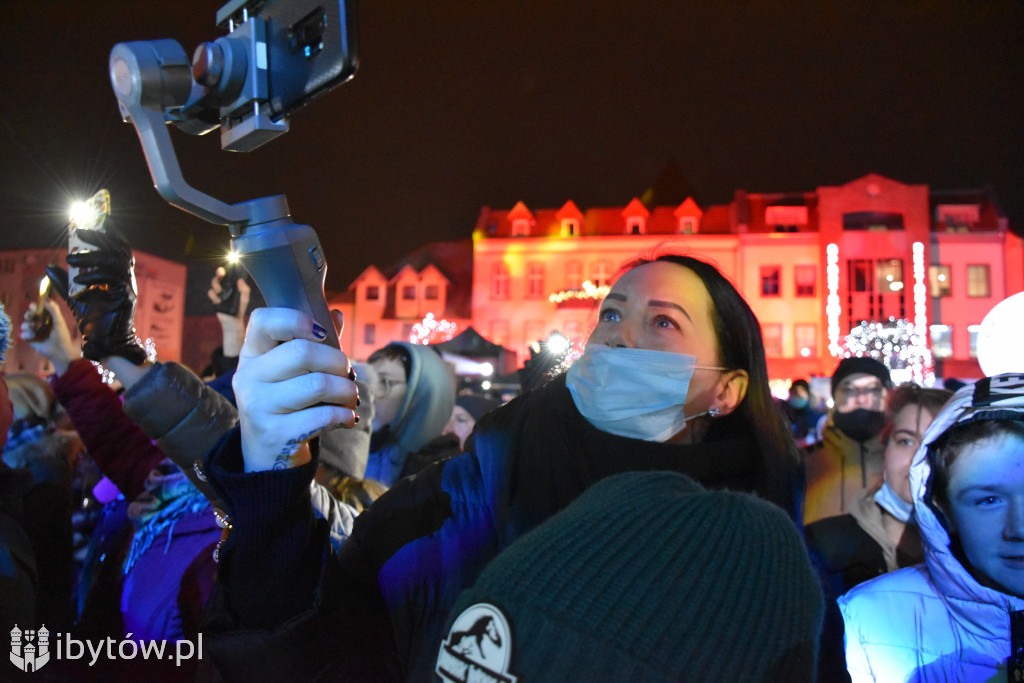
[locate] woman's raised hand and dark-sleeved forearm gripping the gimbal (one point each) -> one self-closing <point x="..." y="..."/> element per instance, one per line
<point x="290" y="389"/>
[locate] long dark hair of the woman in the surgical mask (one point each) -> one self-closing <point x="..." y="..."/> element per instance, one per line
<point x="741" y="348"/>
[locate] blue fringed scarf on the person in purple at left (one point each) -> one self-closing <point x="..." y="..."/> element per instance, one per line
<point x="168" y="497"/>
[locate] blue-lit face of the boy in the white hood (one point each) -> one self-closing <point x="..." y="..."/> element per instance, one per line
<point x="987" y="500"/>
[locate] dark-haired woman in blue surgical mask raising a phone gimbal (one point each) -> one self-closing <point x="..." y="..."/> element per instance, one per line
<point x="674" y="378"/>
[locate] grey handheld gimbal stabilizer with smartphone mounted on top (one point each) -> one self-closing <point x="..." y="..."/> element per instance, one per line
<point x="278" y="57"/>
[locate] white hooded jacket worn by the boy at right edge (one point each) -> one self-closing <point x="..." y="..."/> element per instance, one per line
<point x="934" y="622"/>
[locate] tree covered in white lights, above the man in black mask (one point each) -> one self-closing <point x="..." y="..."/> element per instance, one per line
<point x="898" y="345"/>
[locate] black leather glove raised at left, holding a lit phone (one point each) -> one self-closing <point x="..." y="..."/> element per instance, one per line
<point x="105" y="311"/>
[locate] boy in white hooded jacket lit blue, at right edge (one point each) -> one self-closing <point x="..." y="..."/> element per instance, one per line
<point x="957" y="616"/>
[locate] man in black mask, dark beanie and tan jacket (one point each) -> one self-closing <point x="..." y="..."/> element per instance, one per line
<point x="851" y="454"/>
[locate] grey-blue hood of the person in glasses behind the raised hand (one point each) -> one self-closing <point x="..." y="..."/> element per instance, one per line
<point x="424" y="412"/>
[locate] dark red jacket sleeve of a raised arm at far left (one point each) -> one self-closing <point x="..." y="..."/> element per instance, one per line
<point x="120" y="448"/>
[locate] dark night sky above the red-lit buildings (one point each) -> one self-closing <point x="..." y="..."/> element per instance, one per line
<point x="463" y="104"/>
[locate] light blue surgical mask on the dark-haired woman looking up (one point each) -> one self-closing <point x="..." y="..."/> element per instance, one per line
<point x="633" y="393"/>
